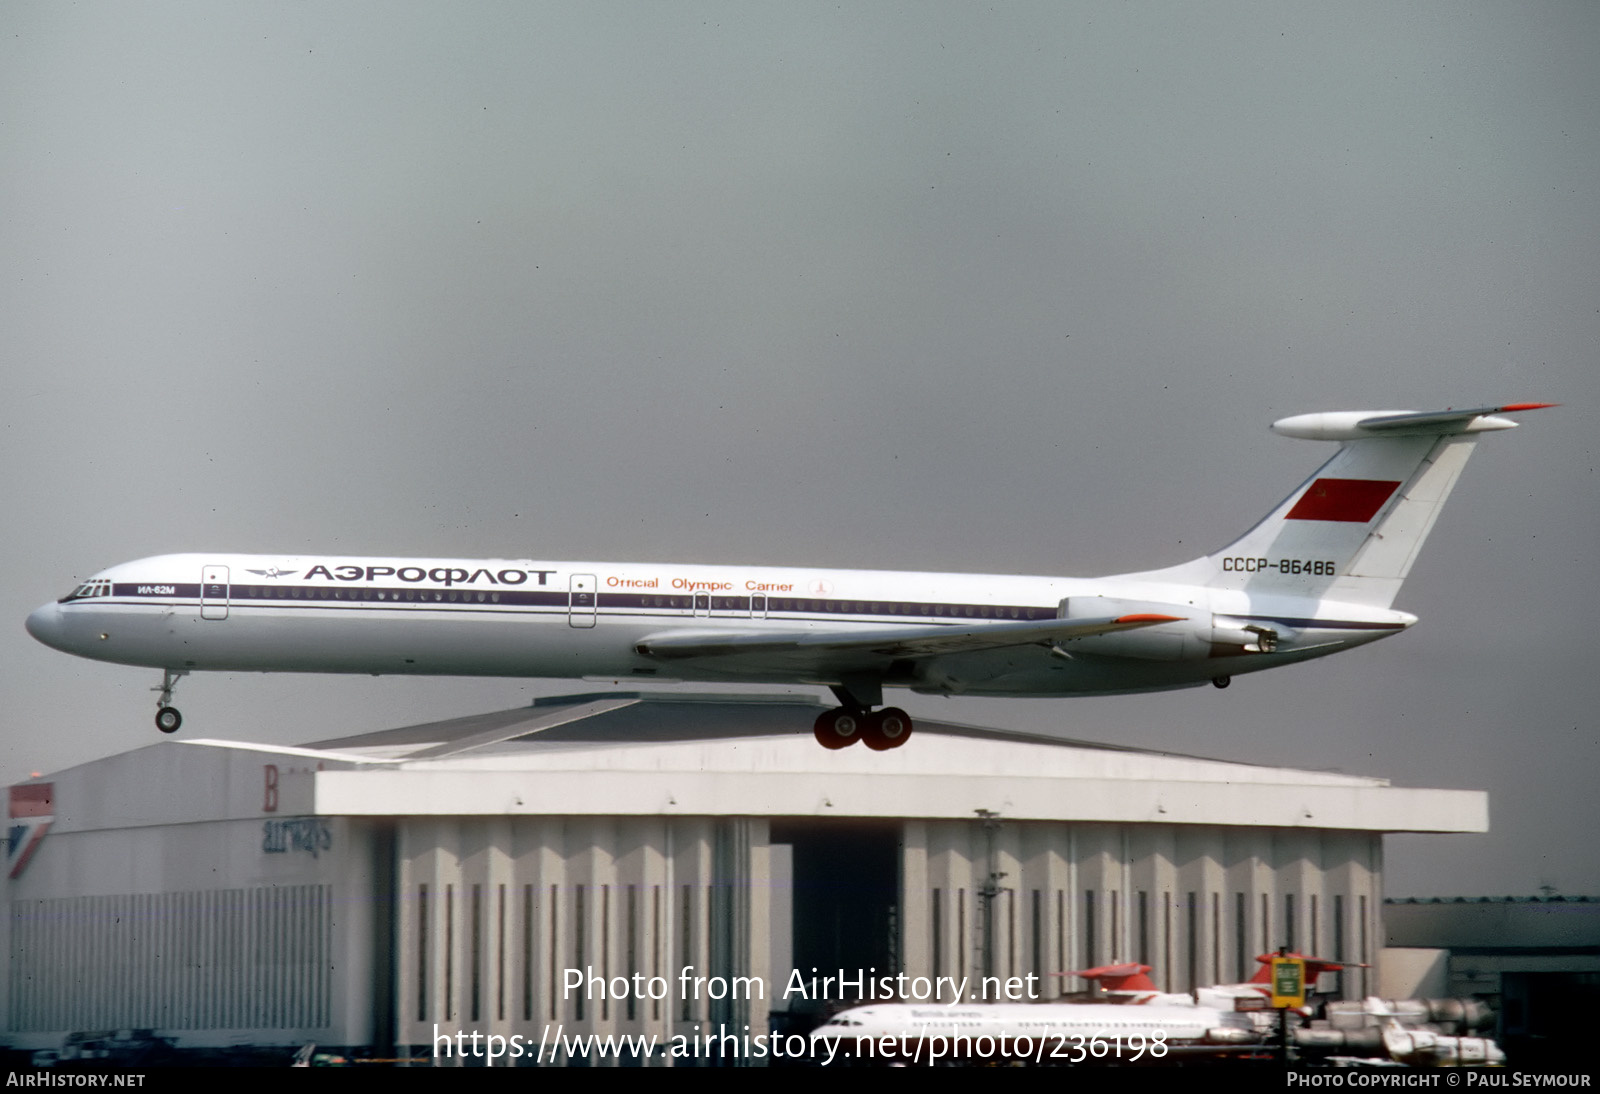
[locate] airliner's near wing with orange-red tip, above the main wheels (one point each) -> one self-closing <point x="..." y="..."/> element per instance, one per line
<point x="890" y="642"/>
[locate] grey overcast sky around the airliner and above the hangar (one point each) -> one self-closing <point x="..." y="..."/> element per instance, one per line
<point x="1006" y="289"/>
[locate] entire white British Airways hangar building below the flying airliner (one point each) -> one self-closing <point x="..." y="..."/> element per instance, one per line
<point x="377" y="892"/>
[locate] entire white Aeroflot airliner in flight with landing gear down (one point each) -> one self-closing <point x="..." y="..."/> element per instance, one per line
<point x="1316" y="577"/>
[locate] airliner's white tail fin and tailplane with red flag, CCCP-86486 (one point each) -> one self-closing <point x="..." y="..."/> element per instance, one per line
<point x="1354" y="529"/>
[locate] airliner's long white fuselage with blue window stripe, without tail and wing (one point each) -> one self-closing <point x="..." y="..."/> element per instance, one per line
<point x="561" y="620"/>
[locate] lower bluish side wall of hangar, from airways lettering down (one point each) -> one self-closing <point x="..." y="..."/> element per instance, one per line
<point x="198" y="930"/>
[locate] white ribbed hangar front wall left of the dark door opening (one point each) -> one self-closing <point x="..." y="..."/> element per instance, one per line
<point x="495" y="914"/>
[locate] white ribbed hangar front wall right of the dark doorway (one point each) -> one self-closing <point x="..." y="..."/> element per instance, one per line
<point x="1198" y="904"/>
